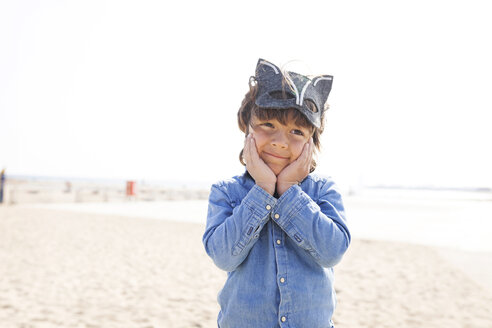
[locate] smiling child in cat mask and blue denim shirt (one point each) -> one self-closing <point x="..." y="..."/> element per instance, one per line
<point x="278" y="229"/>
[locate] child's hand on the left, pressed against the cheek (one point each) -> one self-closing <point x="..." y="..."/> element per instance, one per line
<point x="257" y="168"/>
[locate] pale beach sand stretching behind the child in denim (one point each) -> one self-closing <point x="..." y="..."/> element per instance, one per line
<point x="70" y="269"/>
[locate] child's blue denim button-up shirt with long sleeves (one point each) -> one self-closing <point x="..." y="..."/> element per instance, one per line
<point x="279" y="253"/>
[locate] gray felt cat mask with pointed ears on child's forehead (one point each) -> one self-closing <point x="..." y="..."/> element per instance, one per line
<point x="274" y="92"/>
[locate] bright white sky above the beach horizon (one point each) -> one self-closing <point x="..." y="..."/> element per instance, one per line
<point x="149" y="90"/>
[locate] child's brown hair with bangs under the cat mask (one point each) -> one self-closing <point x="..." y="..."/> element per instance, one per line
<point x="248" y="108"/>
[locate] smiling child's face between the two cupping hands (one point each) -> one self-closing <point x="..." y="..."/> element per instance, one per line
<point x="278" y="145"/>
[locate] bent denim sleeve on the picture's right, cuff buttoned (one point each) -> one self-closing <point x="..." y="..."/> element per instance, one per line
<point x="318" y="227"/>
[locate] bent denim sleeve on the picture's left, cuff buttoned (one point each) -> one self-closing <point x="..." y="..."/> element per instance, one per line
<point x="231" y="231"/>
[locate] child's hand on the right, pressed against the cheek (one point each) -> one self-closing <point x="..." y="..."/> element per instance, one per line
<point x="296" y="171"/>
